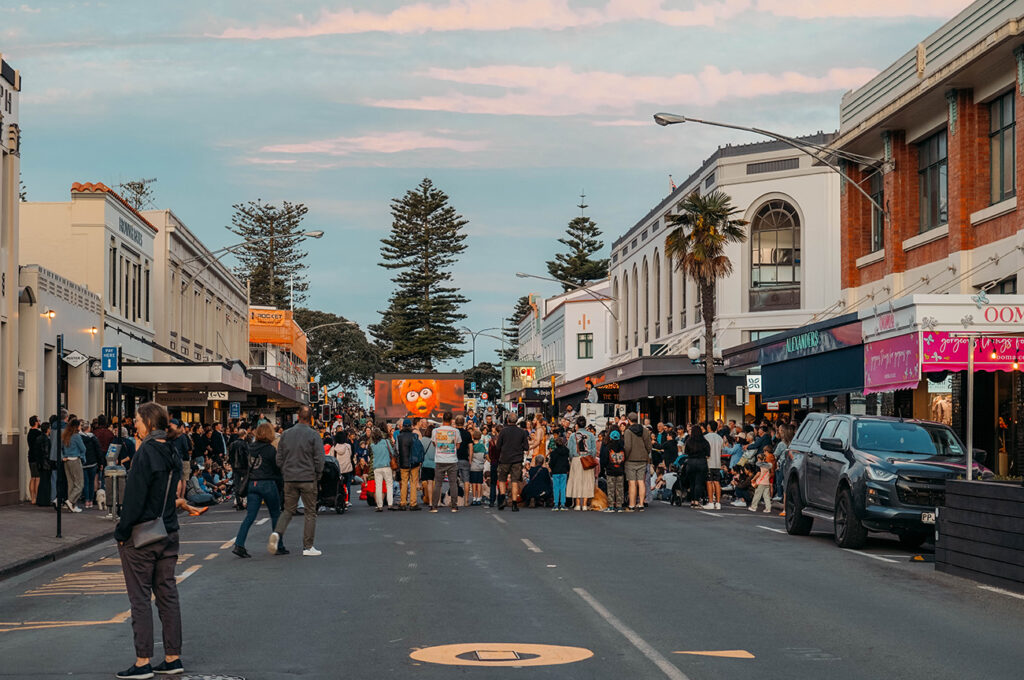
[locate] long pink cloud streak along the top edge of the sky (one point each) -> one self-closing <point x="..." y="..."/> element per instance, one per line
<point x="421" y="17"/>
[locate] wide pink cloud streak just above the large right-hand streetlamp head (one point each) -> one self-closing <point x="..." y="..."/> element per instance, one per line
<point x="562" y="92"/>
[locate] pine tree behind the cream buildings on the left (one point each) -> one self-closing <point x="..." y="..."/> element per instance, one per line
<point x="273" y="259"/>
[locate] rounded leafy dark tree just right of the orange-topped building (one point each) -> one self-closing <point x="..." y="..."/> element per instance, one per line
<point x="340" y="356"/>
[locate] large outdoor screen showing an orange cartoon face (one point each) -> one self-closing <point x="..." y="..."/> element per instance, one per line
<point x="418" y="396"/>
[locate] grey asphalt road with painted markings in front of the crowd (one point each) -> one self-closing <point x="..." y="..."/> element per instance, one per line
<point x="627" y="592"/>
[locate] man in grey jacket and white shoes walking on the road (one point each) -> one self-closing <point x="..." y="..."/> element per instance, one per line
<point x="301" y="457"/>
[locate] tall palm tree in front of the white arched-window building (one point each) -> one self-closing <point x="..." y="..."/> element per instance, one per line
<point x="705" y="226"/>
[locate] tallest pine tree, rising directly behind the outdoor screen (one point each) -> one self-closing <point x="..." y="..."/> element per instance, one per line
<point x="418" y="330"/>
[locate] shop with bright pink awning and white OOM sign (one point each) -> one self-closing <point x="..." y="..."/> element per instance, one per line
<point x="917" y="357"/>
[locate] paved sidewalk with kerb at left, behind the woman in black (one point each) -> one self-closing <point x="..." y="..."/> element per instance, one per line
<point x="29" y="536"/>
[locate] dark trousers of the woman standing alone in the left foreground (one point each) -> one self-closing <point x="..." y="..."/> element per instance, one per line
<point x="150" y="572"/>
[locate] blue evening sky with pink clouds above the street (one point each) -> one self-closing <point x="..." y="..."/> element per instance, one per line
<point x="514" y="108"/>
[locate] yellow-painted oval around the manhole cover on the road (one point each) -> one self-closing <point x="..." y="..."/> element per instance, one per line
<point x="501" y="654"/>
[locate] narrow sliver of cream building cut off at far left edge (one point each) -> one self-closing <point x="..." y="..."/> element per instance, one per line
<point x="11" y="142"/>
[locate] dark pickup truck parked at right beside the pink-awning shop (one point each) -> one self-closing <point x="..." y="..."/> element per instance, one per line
<point x="868" y="474"/>
